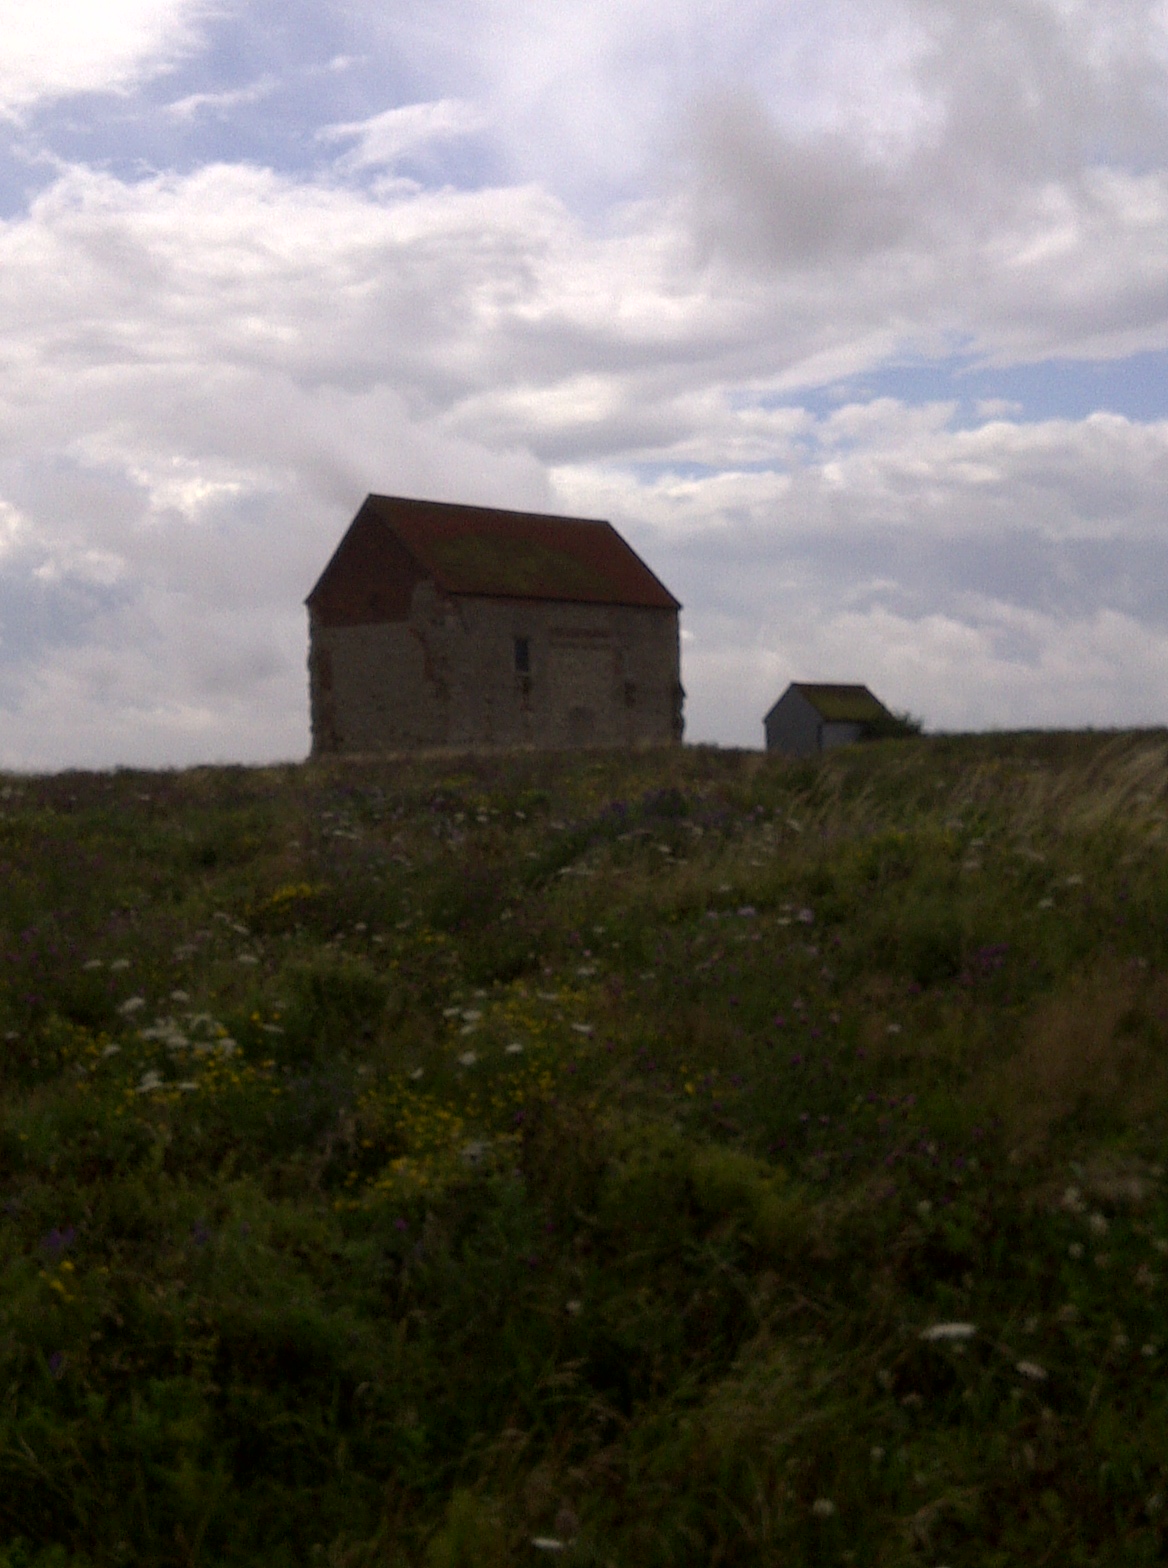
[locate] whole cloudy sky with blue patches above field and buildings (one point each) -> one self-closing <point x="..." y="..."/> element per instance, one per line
<point x="852" y="316"/>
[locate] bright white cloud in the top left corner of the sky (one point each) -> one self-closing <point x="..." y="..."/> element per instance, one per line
<point x="74" y="46"/>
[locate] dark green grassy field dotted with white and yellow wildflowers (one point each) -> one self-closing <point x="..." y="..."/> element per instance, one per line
<point x="669" y="1160"/>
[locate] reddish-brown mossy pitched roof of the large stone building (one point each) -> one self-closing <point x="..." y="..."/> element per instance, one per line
<point x="484" y="553"/>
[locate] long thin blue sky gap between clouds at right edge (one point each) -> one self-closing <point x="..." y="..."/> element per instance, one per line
<point x="1136" y="388"/>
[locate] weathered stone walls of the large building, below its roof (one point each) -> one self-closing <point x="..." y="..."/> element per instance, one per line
<point x="452" y="675"/>
